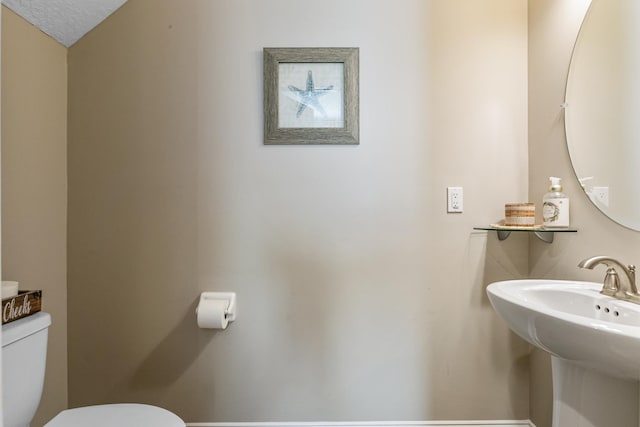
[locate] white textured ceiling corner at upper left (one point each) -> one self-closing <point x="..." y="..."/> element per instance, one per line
<point x="64" y="20"/>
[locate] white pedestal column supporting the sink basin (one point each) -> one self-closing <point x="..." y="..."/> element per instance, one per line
<point x="587" y="398"/>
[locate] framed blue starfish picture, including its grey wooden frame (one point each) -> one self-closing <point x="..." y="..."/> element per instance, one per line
<point x="311" y="96"/>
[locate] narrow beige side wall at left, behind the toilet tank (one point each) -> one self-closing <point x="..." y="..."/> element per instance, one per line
<point x="34" y="184"/>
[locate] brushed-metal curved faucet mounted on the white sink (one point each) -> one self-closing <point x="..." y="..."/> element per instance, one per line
<point x="626" y="289"/>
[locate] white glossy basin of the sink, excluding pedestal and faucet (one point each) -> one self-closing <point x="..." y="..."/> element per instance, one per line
<point x="573" y="321"/>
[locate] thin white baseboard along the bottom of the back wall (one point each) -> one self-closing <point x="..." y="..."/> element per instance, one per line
<point x="500" y="423"/>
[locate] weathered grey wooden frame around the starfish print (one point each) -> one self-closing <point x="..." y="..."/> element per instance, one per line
<point x="346" y="133"/>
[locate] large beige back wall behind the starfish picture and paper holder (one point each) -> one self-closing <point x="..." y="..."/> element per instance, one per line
<point x="359" y="297"/>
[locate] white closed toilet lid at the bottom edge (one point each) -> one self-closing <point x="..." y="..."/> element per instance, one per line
<point x="116" y="415"/>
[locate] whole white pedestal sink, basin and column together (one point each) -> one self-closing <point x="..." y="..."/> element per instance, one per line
<point x="594" y="342"/>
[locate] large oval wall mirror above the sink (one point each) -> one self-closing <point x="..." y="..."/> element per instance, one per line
<point x="602" y="116"/>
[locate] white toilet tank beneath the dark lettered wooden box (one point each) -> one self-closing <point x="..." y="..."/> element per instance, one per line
<point x="24" y="355"/>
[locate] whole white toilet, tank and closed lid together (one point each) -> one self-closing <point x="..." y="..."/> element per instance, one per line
<point x="24" y="352"/>
